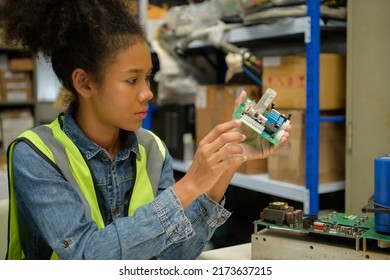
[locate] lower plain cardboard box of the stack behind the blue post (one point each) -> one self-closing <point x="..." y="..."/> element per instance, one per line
<point x="289" y="163"/>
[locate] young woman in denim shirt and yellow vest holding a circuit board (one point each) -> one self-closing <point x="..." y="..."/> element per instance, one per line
<point x="93" y="184"/>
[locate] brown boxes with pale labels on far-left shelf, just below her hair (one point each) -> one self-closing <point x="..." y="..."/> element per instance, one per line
<point x="15" y="86"/>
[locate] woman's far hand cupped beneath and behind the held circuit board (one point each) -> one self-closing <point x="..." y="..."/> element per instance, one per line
<point x="256" y="146"/>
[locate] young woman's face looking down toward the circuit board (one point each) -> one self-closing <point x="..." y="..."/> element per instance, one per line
<point x="122" y="99"/>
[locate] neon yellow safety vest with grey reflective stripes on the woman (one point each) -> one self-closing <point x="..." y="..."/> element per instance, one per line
<point x="58" y="149"/>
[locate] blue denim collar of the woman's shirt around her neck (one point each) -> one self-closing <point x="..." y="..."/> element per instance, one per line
<point x="90" y="148"/>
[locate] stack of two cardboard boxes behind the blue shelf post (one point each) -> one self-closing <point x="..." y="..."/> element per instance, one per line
<point x="287" y="75"/>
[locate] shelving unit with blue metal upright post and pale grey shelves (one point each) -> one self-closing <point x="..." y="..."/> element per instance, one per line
<point x="310" y="26"/>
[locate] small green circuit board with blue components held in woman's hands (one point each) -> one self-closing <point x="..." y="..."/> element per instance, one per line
<point x="266" y="121"/>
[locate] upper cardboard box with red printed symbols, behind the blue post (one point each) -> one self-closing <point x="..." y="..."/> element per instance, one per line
<point x="287" y="76"/>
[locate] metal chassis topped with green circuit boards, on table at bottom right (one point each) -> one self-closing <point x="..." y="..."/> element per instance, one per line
<point x="335" y="235"/>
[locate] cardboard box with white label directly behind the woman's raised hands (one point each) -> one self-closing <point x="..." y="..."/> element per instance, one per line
<point x="214" y="105"/>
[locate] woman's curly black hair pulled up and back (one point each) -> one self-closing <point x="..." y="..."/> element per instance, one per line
<point x="72" y="34"/>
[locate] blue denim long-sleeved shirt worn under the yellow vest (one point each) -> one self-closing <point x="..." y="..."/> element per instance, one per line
<point x="51" y="214"/>
